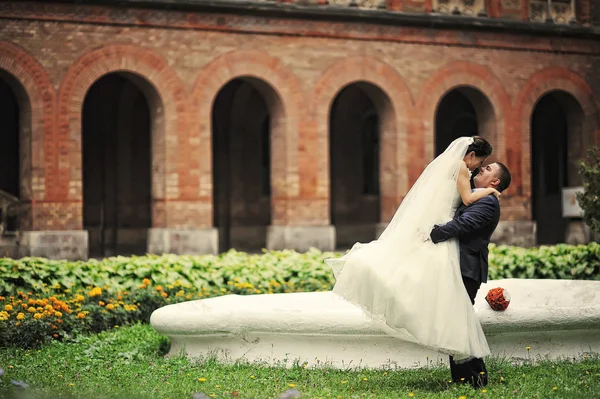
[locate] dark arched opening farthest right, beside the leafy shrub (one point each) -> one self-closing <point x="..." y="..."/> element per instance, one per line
<point x="556" y="148"/>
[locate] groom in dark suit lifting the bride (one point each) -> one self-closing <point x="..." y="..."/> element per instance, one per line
<point x="473" y="226"/>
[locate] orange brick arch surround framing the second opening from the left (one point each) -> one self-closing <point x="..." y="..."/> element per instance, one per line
<point x="167" y="98"/>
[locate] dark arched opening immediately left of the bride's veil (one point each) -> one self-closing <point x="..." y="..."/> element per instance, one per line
<point x="356" y="118"/>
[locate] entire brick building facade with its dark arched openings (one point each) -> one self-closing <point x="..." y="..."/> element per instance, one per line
<point x="192" y="127"/>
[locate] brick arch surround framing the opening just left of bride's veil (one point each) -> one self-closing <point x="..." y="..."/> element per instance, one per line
<point x="394" y="103"/>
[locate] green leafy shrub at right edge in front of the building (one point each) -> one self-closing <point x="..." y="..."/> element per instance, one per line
<point x="589" y="200"/>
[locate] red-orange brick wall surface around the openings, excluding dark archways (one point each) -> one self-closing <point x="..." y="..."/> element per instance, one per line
<point x="56" y="52"/>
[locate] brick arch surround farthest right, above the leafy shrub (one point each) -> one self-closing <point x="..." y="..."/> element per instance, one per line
<point x="538" y="85"/>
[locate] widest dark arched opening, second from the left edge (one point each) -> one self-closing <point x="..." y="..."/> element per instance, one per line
<point x="118" y="118"/>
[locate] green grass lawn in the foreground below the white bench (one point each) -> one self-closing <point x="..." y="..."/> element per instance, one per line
<point x="128" y="363"/>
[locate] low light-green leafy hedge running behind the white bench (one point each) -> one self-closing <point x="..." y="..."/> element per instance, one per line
<point x="275" y="271"/>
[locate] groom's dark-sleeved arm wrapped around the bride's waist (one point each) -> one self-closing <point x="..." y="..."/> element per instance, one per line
<point x="476" y="216"/>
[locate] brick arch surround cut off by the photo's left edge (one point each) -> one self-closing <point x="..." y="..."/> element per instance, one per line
<point x="37" y="108"/>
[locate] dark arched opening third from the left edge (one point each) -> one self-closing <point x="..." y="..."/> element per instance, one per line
<point x="244" y="113"/>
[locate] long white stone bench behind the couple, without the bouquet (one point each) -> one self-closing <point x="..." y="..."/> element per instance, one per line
<point x="555" y="318"/>
